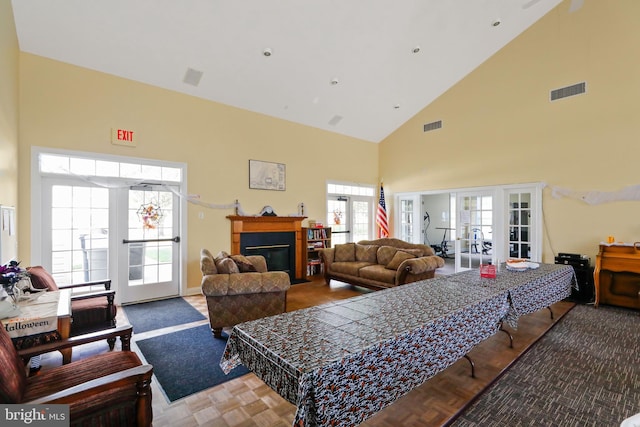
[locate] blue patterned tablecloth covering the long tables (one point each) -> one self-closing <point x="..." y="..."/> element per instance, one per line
<point x="342" y="362"/>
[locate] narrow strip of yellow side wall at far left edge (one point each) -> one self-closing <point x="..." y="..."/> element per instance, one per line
<point x="9" y="55"/>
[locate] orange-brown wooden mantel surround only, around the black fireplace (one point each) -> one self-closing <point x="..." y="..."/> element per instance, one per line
<point x="268" y="224"/>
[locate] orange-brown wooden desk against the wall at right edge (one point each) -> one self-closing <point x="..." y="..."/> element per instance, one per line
<point x="617" y="275"/>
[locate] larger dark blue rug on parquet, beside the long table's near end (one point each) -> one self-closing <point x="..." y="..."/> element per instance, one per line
<point x="187" y="361"/>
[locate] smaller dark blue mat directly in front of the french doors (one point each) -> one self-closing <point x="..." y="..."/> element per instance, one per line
<point x="153" y="315"/>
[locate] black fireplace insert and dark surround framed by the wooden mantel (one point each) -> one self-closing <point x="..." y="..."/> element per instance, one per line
<point x="277" y="248"/>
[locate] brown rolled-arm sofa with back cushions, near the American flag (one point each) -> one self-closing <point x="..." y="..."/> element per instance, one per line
<point x="381" y="263"/>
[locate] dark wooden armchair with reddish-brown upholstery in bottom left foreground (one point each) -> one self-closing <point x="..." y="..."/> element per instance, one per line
<point x="107" y="389"/>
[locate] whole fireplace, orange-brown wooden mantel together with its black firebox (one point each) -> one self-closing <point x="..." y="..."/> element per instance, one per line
<point x="277" y="238"/>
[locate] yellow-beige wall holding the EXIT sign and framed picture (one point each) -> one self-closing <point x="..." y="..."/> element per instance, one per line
<point x="67" y="107"/>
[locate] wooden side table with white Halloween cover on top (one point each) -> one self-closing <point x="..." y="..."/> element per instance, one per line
<point x="50" y="307"/>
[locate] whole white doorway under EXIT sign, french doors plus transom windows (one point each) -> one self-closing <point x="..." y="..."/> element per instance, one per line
<point x="93" y="218"/>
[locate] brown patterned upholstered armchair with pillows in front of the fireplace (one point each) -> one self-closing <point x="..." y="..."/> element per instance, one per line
<point x="239" y="289"/>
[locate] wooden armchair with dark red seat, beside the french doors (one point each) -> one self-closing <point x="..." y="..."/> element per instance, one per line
<point x="91" y="310"/>
